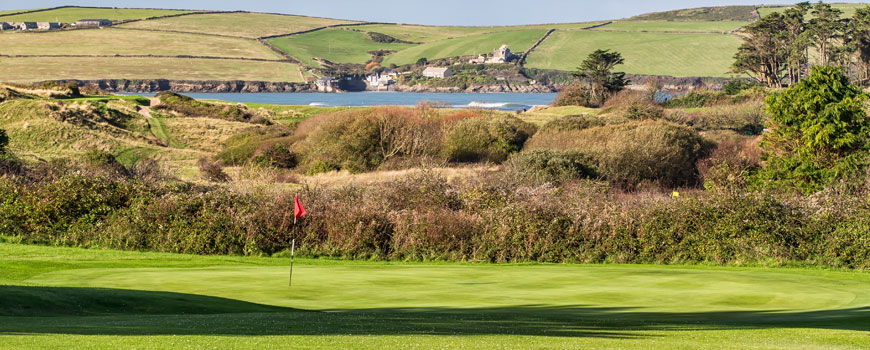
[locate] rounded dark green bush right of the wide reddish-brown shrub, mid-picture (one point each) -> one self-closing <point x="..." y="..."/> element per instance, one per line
<point x="487" y="139"/>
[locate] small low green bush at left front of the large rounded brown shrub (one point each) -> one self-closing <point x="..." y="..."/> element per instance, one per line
<point x="539" y="167"/>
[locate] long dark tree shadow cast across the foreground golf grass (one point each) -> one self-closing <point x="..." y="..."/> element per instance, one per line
<point x="87" y="311"/>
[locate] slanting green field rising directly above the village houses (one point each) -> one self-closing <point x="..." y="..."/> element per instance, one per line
<point x="518" y="41"/>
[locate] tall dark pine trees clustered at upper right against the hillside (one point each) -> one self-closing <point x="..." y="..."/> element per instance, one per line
<point x="779" y="49"/>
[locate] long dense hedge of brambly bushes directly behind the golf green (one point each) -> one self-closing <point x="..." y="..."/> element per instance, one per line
<point x="424" y="217"/>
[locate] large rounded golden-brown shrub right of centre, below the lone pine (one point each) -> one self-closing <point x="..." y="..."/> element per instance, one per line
<point x="632" y="153"/>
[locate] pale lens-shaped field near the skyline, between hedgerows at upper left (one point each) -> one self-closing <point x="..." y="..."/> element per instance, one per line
<point x="249" y="25"/>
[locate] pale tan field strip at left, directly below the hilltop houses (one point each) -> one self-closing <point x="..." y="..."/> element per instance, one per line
<point x="130" y="42"/>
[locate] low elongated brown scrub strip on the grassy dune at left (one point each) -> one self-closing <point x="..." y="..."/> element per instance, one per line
<point x="186" y="106"/>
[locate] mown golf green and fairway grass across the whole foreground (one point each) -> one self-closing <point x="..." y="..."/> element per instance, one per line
<point x="63" y="297"/>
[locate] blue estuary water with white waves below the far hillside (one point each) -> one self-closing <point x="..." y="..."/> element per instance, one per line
<point x="500" y="101"/>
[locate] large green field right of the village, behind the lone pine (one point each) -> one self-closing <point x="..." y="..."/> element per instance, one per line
<point x="644" y="53"/>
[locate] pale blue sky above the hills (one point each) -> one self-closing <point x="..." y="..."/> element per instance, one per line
<point x="437" y="12"/>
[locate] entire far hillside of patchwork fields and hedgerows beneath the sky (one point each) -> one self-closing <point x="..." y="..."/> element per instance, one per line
<point x="193" y="45"/>
